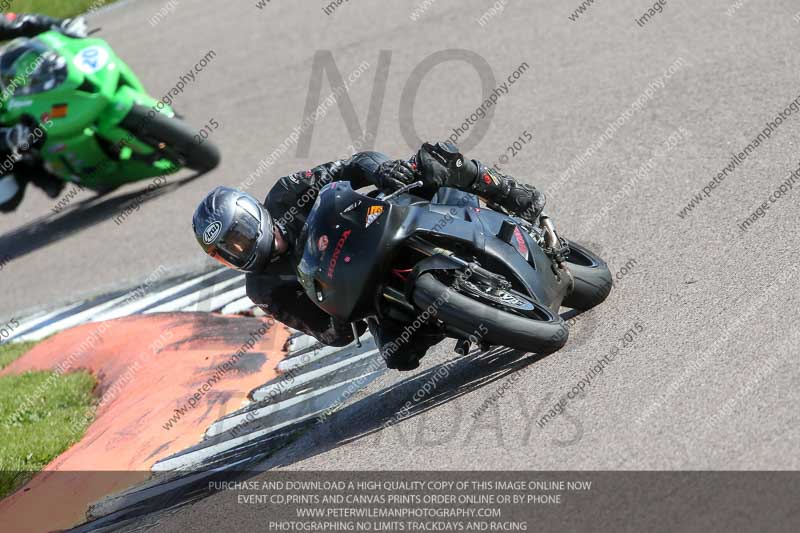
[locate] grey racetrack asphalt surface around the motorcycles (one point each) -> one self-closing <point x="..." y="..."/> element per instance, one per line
<point x="710" y="379"/>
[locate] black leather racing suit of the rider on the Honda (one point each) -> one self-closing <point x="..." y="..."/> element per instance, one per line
<point x="277" y="290"/>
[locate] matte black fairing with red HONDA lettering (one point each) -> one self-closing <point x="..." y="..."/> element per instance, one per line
<point x="345" y="260"/>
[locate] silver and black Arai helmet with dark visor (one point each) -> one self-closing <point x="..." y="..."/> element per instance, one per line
<point x="235" y="229"/>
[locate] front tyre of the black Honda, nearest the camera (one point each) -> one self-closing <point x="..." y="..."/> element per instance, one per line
<point x="542" y="331"/>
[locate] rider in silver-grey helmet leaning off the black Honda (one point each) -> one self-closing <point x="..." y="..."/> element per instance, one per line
<point x="264" y="240"/>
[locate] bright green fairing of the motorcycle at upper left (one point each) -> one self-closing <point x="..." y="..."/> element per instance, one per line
<point x="99" y="91"/>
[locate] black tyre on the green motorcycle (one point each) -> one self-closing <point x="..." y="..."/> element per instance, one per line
<point x="172" y="136"/>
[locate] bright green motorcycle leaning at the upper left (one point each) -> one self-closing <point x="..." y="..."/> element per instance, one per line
<point x="97" y="124"/>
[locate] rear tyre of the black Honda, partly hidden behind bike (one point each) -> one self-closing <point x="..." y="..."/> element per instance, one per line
<point x="593" y="280"/>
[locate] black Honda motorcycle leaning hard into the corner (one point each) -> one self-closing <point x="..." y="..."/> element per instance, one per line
<point x="472" y="273"/>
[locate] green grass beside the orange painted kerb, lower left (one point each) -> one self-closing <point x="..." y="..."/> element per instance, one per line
<point x="41" y="415"/>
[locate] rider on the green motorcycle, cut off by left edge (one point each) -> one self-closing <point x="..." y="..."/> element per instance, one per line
<point x="27" y="135"/>
